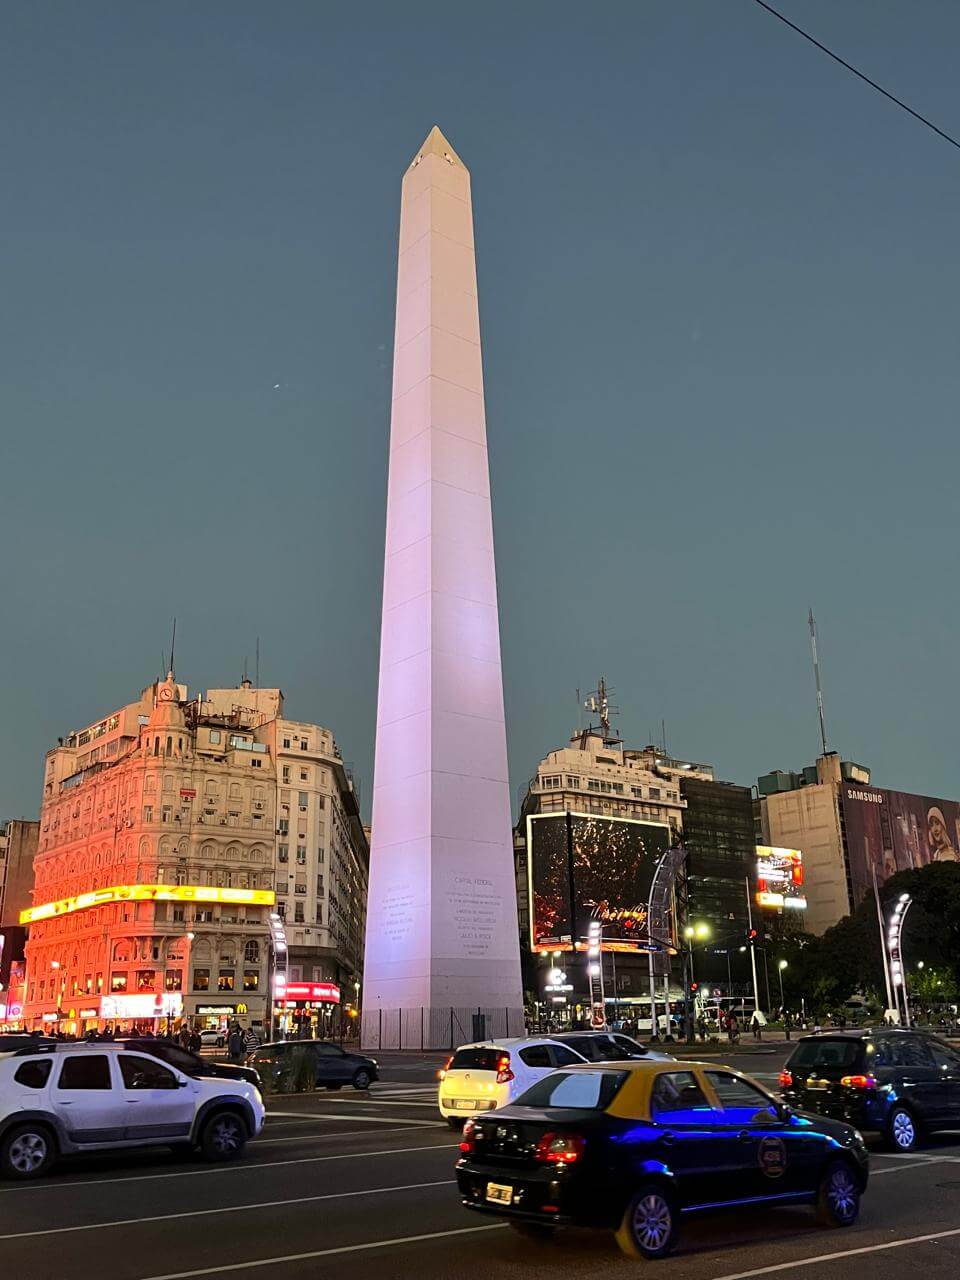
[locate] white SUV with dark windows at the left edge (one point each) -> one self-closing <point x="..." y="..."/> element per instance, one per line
<point x="70" y="1099"/>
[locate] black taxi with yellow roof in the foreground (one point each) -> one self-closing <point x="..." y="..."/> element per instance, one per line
<point x="637" y="1146"/>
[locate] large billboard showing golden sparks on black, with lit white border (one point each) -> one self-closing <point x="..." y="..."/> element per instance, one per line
<point x="582" y="867"/>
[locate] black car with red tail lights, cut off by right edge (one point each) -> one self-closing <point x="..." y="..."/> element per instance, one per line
<point x="898" y="1084"/>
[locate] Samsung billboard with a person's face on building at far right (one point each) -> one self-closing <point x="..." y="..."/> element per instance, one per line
<point x="894" y="831"/>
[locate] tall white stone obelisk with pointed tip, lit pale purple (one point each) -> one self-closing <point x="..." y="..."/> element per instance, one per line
<point x="442" y="936"/>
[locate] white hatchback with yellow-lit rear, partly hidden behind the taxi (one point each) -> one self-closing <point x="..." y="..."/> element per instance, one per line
<point x="491" y="1075"/>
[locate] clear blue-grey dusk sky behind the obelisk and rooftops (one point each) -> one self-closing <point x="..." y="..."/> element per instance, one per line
<point x="720" y="303"/>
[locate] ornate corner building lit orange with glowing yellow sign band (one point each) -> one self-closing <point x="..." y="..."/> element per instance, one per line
<point x="154" y="872"/>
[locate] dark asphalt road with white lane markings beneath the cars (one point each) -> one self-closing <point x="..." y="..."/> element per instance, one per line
<point x="363" y="1186"/>
